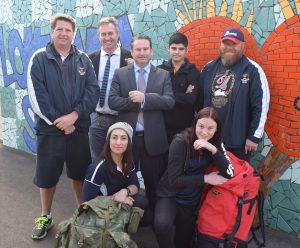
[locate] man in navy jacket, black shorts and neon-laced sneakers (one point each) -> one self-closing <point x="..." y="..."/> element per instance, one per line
<point x="63" y="91"/>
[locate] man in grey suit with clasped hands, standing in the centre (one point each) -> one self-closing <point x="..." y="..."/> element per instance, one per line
<point x="141" y="92"/>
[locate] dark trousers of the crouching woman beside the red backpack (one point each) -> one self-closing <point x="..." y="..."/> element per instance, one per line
<point x="169" y="215"/>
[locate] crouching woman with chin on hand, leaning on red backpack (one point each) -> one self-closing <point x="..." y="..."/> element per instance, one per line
<point x="191" y="152"/>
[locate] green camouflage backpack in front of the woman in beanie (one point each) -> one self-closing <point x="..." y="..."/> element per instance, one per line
<point x="99" y="223"/>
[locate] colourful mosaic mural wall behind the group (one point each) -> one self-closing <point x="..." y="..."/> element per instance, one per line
<point x="272" y="31"/>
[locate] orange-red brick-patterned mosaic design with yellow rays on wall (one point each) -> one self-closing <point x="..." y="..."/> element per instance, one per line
<point x="280" y="58"/>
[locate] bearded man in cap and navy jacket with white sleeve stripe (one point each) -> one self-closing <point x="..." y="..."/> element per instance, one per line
<point x="238" y="88"/>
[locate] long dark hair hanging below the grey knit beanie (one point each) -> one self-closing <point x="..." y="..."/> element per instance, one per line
<point x="127" y="160"/>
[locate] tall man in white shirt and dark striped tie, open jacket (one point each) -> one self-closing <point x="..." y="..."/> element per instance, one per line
<point x="110" y="57"/>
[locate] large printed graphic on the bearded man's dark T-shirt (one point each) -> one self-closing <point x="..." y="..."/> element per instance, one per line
<point x="222" y="87"/>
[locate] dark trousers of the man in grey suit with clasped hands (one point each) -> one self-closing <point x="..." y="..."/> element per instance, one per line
<point x="151" y="168"/>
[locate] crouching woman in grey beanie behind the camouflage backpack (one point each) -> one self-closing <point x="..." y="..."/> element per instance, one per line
<point x="114" y="173"/>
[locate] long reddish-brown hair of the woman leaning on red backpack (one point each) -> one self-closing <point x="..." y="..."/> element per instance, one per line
<point x="190" y="133"/>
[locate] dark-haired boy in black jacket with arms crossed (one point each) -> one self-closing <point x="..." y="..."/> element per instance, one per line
<point x="184" y="76"/>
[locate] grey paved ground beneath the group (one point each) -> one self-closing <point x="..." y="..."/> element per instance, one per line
<point x="19" y="205"/>
